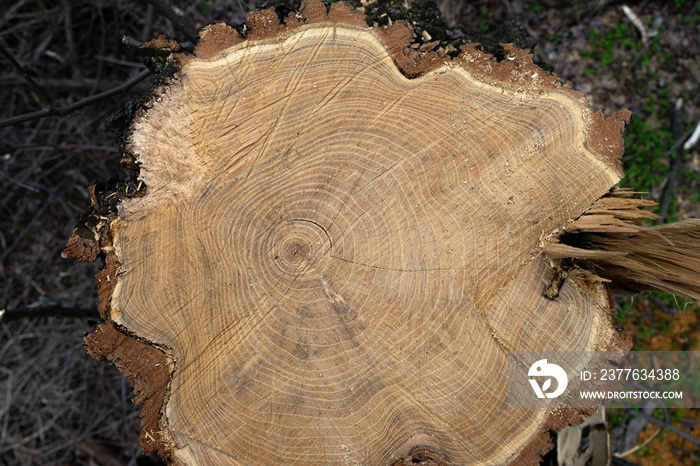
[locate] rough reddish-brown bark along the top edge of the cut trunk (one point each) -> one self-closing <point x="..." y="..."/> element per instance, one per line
<point x="517" y="73"/>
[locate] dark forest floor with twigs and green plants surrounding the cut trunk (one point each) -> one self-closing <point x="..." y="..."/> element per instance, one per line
<point x="58" y="406"/>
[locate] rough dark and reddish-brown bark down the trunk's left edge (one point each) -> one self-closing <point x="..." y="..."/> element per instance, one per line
<point x="147" y="366"/>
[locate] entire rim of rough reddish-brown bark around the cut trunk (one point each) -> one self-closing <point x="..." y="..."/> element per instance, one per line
<point x="149" y="367"/>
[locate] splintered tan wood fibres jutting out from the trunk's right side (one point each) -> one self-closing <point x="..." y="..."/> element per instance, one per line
<point x="633" y="258"/>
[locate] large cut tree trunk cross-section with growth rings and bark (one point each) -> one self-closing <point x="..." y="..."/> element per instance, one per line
<point x="335" y="239"/>
